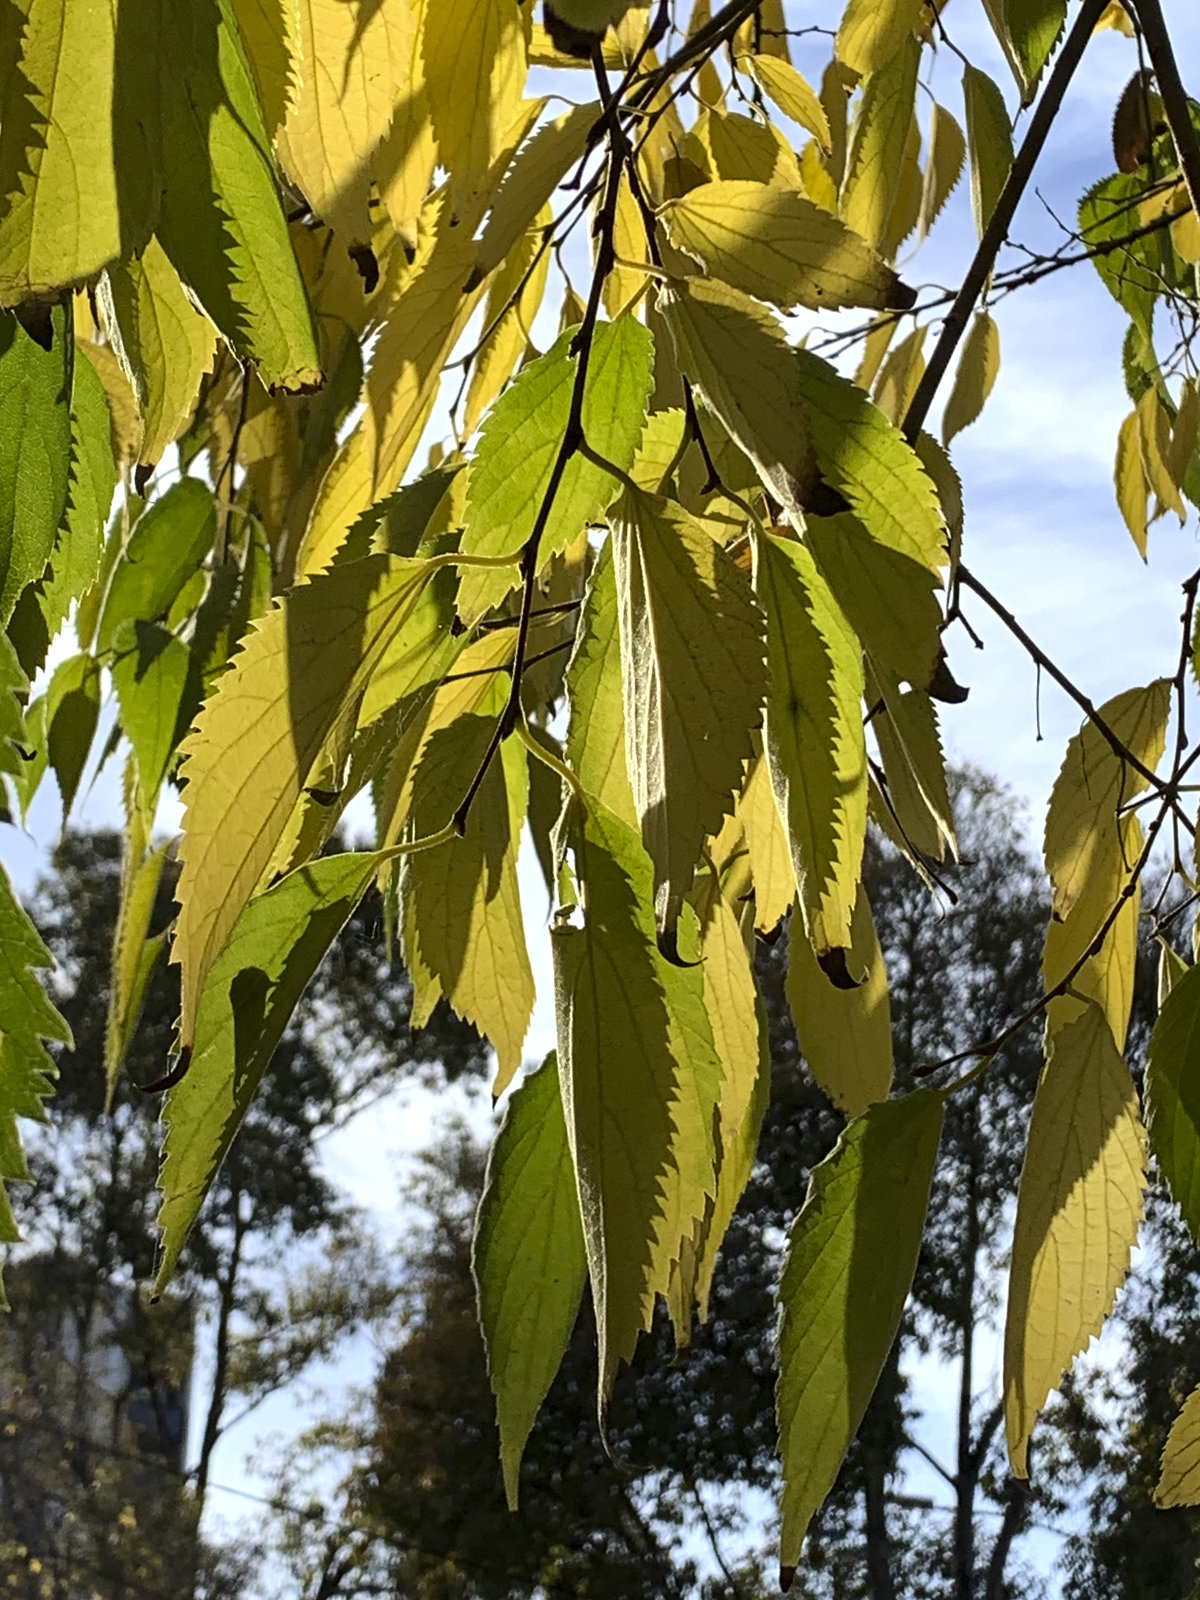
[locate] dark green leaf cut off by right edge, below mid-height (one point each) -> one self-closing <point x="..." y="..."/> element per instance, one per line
<point x="1174" y="1095"/>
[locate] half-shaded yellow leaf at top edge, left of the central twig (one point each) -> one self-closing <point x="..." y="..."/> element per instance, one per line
<point x="474" y="57"/>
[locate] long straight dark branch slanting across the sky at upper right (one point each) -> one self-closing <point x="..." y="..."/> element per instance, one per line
<point x="1046" y="113"/>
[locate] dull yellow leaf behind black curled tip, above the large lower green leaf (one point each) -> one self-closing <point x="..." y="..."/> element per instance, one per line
<point x="846" y="1034"/>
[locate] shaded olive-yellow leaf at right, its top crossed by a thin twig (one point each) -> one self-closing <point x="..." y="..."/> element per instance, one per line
<point x="1082" y="822"/>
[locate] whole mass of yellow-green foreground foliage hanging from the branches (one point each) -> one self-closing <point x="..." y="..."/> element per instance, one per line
<point x="383" y="428"/>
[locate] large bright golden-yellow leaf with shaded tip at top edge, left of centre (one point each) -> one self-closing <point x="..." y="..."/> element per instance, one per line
<point x="353" y="63"/>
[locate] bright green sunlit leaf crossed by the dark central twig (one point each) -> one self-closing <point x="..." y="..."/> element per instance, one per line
<point x="521" y="441"/>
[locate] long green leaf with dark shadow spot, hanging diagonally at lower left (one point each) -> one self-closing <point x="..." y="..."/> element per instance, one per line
<point x="249" y="996"/>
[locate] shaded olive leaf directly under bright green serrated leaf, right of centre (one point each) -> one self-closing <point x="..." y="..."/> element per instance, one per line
<point x="889" y="599"/>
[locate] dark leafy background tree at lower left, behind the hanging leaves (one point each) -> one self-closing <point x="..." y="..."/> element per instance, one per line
<point x="70" y="1460"/>
